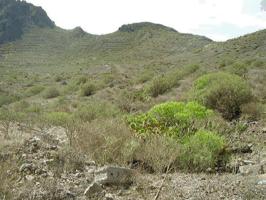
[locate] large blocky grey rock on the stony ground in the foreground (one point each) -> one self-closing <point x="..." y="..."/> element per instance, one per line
<point x="113" y="175"/>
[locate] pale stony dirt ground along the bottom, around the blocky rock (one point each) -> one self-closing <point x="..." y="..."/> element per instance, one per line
<point x="43" y="175"/>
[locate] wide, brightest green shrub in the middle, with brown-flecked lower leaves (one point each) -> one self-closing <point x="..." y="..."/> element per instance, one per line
<point x="174" y="119"/>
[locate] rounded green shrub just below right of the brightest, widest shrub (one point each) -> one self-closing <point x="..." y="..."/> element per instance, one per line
<point x="201" y="151"/>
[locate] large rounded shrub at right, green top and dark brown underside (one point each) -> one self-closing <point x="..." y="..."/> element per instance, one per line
<point x="222" y="92"/>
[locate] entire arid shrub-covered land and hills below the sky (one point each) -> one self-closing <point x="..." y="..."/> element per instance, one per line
<point x="145" y="112"/>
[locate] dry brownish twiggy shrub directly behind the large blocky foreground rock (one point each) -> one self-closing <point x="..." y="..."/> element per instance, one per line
<point x="103" y="141"/>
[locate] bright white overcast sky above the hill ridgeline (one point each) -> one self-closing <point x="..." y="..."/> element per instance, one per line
<point x="217" y="19"/>
